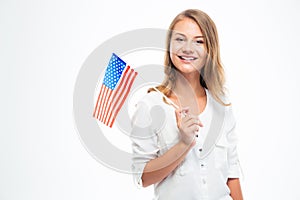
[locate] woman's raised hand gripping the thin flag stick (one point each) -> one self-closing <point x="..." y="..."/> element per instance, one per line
<point x="188" y="125"/>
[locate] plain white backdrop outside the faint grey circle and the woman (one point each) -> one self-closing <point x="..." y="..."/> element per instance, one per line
<point x="44" y="43"/>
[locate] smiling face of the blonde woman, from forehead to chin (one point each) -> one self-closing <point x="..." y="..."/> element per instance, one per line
<point x="187" y="48"/>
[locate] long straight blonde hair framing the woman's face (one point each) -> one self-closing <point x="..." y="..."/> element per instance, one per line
<point x="212" y="74"/>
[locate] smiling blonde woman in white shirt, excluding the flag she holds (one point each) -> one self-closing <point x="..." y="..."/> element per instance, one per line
<point x="188" y="152"/>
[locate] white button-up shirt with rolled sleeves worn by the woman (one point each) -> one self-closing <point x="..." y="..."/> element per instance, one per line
<point x="204" y="172"/>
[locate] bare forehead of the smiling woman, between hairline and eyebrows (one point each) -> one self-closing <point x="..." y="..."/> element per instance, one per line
<point x="187" y="27"/>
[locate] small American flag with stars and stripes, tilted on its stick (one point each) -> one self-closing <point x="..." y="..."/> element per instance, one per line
<point x="114" y="90"/>
